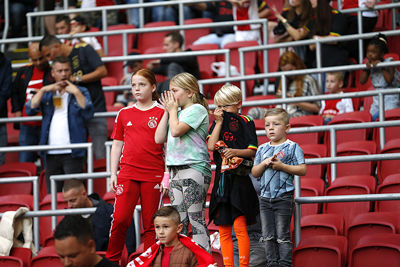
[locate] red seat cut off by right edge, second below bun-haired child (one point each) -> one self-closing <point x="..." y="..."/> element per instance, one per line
<point x="388" y="167"/>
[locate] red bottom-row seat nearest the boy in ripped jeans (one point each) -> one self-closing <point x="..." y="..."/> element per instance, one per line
<point x="317" y="251"/>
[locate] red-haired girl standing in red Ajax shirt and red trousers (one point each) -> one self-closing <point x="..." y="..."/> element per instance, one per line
<point x="141" y="164"/>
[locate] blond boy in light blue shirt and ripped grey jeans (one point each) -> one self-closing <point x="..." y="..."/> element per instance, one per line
<point x="276" y="163"/>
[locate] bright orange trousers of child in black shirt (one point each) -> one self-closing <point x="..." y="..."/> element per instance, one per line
<point x="225" y="233"/>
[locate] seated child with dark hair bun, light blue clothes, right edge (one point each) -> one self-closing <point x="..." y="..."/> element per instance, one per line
<point x="381" y="78"/>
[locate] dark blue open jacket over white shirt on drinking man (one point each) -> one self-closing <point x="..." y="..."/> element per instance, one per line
<point x="76" y="118"/>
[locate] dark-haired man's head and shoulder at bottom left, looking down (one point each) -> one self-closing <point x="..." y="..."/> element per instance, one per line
<point x="74" y="242"/>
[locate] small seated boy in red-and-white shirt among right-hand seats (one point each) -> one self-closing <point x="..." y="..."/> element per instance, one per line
<point x="331" y="108"/>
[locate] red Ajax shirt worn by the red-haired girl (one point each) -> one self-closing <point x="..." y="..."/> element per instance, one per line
<point x="142" y="159"/>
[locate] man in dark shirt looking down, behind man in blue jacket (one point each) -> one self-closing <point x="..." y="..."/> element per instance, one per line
<point x="87" y="71"/>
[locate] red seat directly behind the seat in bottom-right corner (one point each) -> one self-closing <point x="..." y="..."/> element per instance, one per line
<point x="367" y="223"/>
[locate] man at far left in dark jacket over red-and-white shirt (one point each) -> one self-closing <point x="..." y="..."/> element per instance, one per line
<point x="29" y="80"/>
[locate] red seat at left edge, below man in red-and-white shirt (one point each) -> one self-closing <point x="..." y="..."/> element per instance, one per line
<point x="17" y="169"/>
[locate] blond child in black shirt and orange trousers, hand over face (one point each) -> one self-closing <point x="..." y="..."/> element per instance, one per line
<point x="234" y="202"/>
